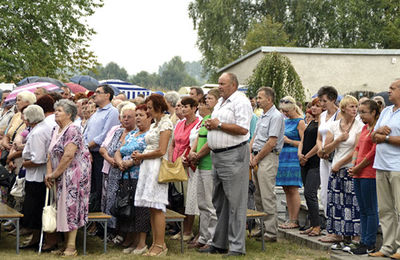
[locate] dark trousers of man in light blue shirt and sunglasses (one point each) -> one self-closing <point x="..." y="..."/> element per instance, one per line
<point x="96" y="181"/>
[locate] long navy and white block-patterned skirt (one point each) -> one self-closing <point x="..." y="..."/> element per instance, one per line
<point x="343" y="213"/>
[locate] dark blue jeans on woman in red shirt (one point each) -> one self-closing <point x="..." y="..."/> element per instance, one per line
<point x="365" y="190"/>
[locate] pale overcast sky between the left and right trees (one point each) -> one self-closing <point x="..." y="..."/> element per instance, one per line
<point x="143" y="34"/>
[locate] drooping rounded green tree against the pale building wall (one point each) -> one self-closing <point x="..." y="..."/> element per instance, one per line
<point x="277" y="72"/>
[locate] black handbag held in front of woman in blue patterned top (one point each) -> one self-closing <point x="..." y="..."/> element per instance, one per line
<point x="123" y="206"/>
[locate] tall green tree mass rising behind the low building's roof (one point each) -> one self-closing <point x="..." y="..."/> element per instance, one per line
<point x="223" y="25"/>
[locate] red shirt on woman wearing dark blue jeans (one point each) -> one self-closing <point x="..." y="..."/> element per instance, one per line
<point x="366" y="149"/>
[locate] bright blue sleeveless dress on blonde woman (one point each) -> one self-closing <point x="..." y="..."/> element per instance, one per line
<point x="289" y="172"/>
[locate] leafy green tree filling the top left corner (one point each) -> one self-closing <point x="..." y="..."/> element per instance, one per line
<point x="45" y="38"/>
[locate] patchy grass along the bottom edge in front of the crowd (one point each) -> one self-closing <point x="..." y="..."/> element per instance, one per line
<point x="281" y="250"/>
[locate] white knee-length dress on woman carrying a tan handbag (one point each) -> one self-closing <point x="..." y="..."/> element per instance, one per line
<point x="150" y="193"/>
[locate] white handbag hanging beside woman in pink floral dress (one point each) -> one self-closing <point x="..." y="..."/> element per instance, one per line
<point x="49" y="217"/>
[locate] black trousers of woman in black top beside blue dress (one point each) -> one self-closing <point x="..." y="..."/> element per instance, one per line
<point x="311" y="182"/>
